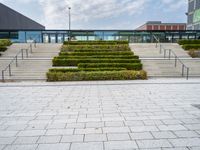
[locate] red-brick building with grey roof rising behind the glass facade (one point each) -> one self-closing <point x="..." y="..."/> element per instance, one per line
<point x="158" y="25"/>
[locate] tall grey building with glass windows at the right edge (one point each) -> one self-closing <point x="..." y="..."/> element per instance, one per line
<point x="193" y="15"/>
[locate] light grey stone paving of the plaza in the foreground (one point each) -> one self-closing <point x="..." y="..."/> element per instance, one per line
<point x="76" y="116"/>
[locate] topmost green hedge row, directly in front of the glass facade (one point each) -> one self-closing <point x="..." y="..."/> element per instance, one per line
<point x="94" y="42"/>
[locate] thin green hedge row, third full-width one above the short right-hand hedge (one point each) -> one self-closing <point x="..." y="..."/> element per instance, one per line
<point x="94" y="53"/>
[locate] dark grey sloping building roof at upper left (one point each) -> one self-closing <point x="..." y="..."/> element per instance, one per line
<point x="13" y="20"/>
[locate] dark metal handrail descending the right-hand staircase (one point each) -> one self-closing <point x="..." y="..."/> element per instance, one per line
<point x="169" y="57"/>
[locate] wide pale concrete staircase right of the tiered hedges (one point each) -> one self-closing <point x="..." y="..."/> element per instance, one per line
<point x="157" y="66"/>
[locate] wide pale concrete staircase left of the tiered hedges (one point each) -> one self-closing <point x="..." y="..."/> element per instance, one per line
<point x="32" y="68"/>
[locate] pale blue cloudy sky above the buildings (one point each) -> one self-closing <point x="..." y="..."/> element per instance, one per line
<point x="100" y="14"/>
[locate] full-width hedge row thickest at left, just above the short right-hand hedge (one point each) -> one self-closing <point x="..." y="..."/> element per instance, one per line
<point x="75" y="62"/>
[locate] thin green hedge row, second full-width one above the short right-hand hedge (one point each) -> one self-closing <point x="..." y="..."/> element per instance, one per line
<point x="99" y="57"/>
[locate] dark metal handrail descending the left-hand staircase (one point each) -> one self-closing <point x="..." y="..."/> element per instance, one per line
<point x="15" y="59"/>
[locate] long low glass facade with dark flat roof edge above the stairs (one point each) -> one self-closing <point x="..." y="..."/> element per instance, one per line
<point x="133" y="36"/>
